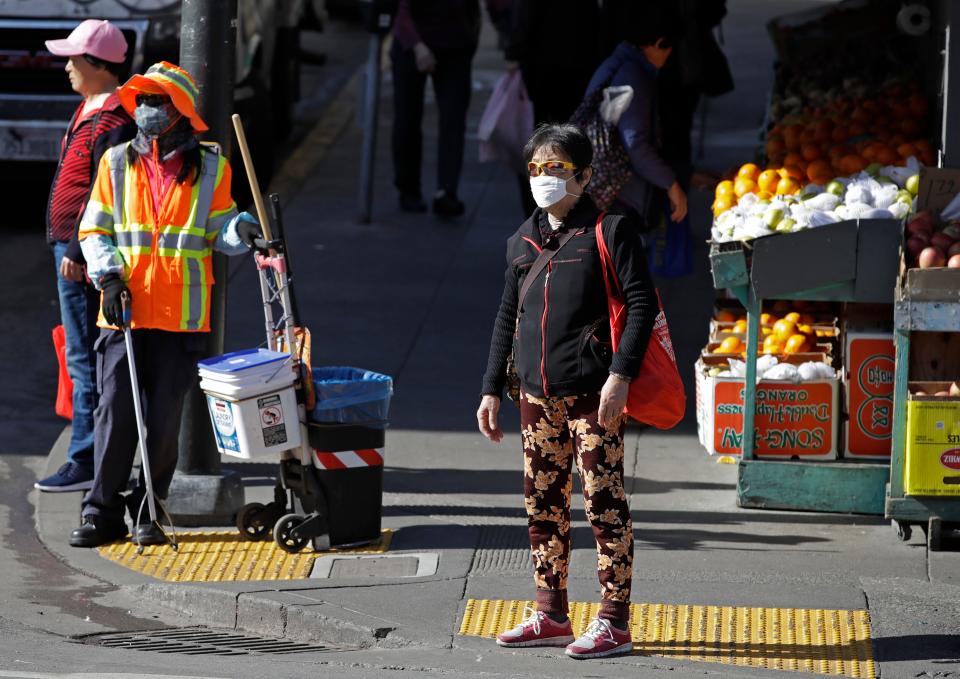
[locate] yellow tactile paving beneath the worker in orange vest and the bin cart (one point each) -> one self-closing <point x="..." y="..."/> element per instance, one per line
<point x="214" y="556"/>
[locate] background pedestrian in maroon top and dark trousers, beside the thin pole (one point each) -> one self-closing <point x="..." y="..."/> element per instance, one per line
<point x="435" y="38"/>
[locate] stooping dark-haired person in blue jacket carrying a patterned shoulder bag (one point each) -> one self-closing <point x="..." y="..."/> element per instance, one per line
<point x="650" y="32"/>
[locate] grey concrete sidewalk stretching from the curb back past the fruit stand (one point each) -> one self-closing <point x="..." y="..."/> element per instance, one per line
<point x="414" y="297"/>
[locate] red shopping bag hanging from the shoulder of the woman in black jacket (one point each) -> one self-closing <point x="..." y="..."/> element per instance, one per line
<point x="657" y="396"/>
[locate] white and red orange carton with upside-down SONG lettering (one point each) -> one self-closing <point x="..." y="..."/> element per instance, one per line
<point x="792" y="420"/>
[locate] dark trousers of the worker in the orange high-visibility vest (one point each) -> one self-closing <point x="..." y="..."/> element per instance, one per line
<point x="166" y="370"/>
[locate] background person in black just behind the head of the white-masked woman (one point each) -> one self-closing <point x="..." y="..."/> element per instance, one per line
<point x="555" y="75"/>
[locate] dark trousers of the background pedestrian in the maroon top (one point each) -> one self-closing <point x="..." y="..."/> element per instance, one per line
<point x="451" y="86"/>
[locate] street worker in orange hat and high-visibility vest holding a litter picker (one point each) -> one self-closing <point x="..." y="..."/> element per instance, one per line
<point x="160" y="206"/>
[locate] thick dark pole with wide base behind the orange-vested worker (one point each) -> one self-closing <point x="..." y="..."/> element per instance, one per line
<point x="201" y="493"/>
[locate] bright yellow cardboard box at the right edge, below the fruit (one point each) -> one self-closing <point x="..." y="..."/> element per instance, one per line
<point x="932" y="464"/>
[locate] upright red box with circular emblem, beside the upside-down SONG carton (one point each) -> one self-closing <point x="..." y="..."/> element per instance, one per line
<point x="868" y="376"/>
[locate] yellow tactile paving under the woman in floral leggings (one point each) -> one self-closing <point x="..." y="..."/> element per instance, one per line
<point x="830" y="642"/>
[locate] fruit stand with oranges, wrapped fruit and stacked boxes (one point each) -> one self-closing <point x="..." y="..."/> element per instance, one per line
<point x="845" y="166"/>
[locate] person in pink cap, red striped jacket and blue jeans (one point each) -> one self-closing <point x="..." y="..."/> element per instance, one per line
<point x="96" y="52"/>
